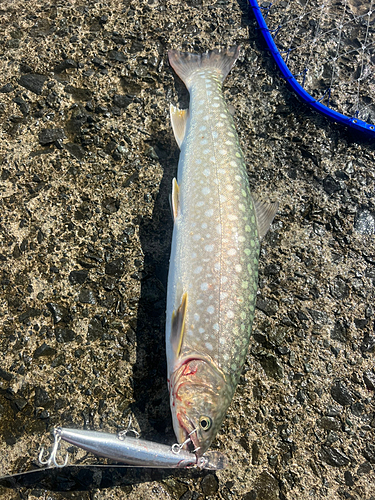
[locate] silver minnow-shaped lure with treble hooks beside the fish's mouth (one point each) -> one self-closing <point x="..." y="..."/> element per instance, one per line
<point x="133" y="451"/>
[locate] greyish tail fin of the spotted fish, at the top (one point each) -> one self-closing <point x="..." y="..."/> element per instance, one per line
<point x="186" y="64"/>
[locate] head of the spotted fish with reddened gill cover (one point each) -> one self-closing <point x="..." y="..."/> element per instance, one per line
<point x="198" y="404"/>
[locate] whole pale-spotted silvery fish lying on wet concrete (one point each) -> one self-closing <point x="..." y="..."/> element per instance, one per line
<point x="213" y="269"/>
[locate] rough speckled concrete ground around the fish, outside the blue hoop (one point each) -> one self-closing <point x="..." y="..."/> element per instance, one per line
<point x="87" y="158"/>
